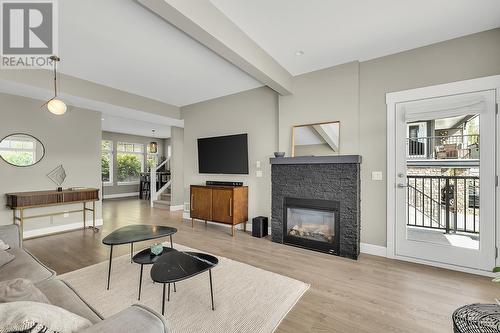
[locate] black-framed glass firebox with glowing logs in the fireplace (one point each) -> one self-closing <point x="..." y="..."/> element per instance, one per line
<point x="312" y="223"/>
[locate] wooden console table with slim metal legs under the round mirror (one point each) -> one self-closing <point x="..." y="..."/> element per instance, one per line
<point x="21" y="201"/>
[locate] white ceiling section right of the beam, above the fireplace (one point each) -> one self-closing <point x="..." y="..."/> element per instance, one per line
<point x="331" y="32"/>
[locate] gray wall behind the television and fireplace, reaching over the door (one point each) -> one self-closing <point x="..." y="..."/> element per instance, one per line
<point x="353" y="94"/>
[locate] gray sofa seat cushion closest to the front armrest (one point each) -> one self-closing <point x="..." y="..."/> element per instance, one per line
<point x="60" y="294"/>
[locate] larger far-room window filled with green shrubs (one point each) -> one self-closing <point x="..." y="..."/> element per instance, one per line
<point x="130" y="162"/>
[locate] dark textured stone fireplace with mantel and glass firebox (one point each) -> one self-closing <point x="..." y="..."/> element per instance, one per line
<point x="315" y="203"/>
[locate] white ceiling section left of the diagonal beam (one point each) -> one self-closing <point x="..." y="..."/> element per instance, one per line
<point x="119" y="43"/>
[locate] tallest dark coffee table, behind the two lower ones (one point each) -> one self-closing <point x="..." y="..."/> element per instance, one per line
<point x="132" y="234"/>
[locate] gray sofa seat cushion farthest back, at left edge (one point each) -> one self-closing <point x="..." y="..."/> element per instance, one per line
<point x="24" y="266"/>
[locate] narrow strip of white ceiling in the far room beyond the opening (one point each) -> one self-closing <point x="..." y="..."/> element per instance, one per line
<point x="134" y="127"/>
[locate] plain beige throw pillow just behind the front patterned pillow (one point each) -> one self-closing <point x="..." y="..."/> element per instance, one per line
<point x="21" y="290"/>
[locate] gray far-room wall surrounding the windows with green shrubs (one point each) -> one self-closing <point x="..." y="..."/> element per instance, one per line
<point x="120" y="137"/>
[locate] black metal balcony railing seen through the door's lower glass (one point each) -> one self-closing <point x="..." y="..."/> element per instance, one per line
<point x="449" y="203"/>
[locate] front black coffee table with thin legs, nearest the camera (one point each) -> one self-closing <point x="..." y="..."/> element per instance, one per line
<point x="175" y="266"/>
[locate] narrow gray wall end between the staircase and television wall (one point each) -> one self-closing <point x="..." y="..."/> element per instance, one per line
<point x="177" y="164"/>
